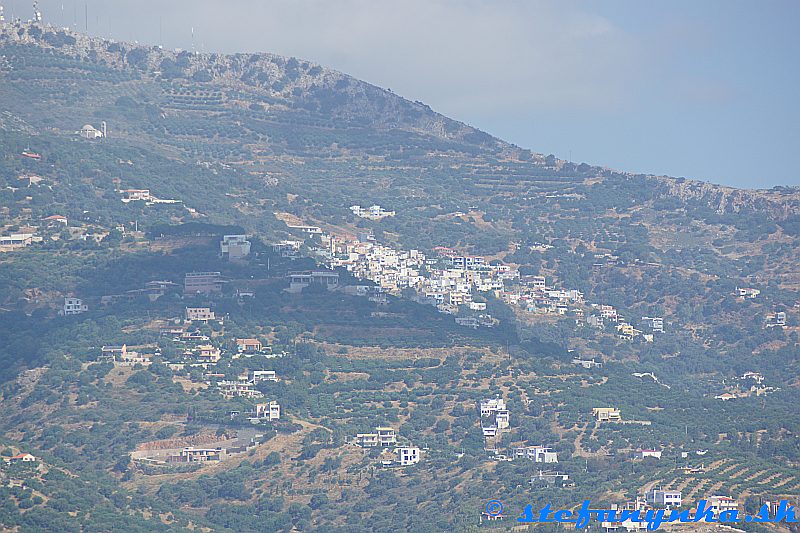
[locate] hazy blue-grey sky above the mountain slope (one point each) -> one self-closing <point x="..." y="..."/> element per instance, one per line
<point x="702" y="89"/>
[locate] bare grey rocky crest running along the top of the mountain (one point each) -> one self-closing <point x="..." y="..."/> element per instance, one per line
<point x="279" y="79"/>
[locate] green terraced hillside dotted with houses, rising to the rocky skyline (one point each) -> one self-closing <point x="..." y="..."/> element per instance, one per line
<point x="272" y="359"/>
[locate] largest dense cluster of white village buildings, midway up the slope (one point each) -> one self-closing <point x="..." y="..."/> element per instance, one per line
<point x="454" y="283"/>
